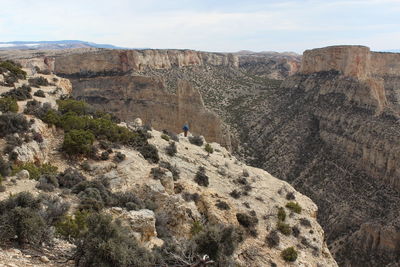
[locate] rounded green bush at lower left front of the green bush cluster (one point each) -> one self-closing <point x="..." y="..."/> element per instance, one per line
<point x="78" y="142"/>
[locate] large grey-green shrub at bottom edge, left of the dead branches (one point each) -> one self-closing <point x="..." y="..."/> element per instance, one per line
<point x="107" y="243"/>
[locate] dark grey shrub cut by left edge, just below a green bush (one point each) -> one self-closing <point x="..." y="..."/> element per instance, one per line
<point x="11" y="123"/>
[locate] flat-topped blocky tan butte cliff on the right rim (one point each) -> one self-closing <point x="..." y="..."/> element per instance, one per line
<point x="373" y="69"/>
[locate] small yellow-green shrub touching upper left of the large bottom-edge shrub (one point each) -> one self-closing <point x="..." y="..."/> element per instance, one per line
<point x="73" y="226"/>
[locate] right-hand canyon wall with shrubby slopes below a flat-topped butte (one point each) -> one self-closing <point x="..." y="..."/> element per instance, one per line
<point x="333" y="132"/>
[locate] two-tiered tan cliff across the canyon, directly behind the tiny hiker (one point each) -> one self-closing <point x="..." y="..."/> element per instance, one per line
<point x="111" y="80"/>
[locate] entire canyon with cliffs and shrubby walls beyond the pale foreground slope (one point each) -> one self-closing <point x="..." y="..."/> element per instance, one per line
<point x="330" y="127"/>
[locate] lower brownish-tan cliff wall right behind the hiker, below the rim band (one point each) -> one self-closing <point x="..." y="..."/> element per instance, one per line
<point x="130" y="97"/>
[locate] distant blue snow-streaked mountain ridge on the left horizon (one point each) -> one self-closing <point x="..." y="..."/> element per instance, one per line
<point x="53" y="45"/>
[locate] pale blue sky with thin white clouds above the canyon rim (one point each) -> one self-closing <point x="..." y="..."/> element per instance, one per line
<point x="208" y="25"/>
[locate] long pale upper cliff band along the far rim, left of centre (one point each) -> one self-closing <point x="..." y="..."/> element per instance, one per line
<point x="122" y="61"/>
